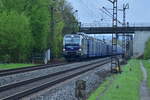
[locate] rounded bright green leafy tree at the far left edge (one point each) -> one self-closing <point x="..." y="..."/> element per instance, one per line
<point x="15" y="36"/>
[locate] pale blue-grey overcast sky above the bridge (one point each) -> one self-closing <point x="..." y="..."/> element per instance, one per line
<point x="89" y="10"/>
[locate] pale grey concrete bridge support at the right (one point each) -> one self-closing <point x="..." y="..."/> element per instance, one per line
<point x="139" y="41"/>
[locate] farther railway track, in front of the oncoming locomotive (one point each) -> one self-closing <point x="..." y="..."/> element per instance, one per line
<point x="27" y="69"/>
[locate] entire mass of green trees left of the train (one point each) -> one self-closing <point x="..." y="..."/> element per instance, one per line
<point x="32" y="26"/>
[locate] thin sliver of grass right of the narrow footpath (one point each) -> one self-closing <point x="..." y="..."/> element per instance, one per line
<point x="147" y="66"/>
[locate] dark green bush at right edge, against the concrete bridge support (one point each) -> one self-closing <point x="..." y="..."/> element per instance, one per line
<point x="147" y="50"/>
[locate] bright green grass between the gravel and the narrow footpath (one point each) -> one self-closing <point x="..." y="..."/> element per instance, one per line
<point x="123" y="86"/>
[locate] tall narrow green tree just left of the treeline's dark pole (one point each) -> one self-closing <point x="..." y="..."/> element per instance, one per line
<point x="39" y="14"/>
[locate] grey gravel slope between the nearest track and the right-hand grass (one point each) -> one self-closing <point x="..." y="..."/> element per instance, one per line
<point x="66" y="90"/>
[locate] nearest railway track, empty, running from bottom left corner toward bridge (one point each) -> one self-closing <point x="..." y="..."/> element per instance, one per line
<point x="27" y="87"/>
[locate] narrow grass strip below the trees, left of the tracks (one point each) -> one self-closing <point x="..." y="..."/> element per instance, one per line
<point x="12" y="66"/>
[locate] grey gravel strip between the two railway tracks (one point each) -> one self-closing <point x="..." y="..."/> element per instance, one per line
<point x="38" y="73"/>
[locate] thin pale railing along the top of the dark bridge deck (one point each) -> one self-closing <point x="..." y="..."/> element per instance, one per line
<point x="110" y="25"/>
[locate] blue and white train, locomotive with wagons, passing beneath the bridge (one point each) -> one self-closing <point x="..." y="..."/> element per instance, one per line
<point x="80" y="46"/>
